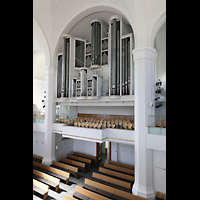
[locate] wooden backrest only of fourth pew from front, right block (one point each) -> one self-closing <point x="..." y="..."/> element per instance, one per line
<point x="111" y="180"/>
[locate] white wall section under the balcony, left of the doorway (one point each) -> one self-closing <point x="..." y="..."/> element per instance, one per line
<point x="84" y="147"/>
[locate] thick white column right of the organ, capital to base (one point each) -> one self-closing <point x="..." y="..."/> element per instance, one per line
<point x="144" y="73"/>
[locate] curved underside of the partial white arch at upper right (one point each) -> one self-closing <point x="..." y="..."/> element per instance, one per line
<point x="161" y="20"/>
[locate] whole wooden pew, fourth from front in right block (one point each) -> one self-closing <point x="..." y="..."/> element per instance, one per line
<point x="122" y="185"/>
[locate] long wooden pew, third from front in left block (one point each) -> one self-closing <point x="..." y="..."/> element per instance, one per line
<point x="53" y="171"/>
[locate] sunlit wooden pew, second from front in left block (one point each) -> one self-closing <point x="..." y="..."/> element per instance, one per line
<point x="47" y="179"/>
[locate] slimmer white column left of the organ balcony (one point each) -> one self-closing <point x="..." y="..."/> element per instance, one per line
<point x="49" y="136"/>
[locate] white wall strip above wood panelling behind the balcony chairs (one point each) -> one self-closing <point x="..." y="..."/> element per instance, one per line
<point x="112" y="110"/>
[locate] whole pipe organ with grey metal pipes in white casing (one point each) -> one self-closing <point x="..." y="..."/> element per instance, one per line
<point x="102" y="66"/>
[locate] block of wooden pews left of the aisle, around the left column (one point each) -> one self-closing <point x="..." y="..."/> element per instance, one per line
<point x="45" y="176"/>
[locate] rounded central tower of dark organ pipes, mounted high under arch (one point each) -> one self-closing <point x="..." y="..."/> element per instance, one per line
<point x="96" y="42"/>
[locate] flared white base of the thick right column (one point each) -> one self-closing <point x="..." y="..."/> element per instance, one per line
<point x="143" y="191"/>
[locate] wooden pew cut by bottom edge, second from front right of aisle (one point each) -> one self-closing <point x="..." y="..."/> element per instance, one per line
<point x="84" y="194"/>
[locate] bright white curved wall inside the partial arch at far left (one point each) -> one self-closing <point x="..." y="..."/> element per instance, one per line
<point x="41" y="42"/>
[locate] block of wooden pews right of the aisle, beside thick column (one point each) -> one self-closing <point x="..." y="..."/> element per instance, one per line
<point x="113" y="181"/>
